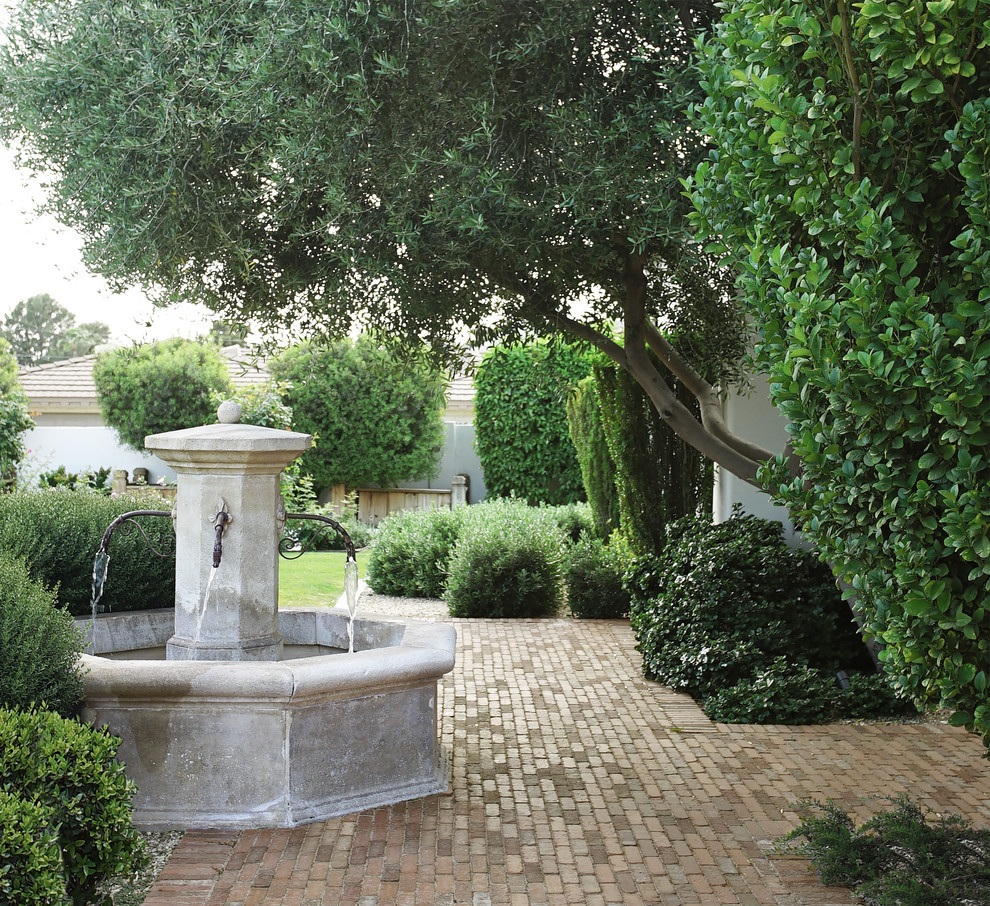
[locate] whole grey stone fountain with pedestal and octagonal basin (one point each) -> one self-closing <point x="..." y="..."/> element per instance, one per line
<point x="259" y="717"/>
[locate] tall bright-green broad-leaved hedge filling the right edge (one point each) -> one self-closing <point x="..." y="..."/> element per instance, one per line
<point x="851" y="186"/>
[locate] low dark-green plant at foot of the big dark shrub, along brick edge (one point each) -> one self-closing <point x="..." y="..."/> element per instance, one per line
<point x="789" y="693"/>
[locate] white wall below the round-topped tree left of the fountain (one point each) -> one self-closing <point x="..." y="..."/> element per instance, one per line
<point x="80" y="449"/>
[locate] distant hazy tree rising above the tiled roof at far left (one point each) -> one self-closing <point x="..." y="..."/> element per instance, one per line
<point x="39" y="329"/>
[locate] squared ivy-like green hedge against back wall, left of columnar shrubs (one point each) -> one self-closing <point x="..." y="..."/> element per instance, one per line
<point x="521" y="431"/>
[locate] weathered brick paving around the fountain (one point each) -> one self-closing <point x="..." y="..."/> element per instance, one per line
<point x="574" y="780"/>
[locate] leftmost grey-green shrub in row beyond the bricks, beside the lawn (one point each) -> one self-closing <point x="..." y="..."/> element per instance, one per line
<point x="412" y="551"/>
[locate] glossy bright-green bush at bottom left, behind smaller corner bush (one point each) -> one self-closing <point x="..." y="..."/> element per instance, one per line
<point x="68" y="769"/>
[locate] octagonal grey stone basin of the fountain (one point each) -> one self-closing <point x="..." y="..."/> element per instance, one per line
<point x="272" y="744"/>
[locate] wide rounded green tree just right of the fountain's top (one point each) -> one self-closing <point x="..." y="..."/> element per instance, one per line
<point x="376" y="419"/>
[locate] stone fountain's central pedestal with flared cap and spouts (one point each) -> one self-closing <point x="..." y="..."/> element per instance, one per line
<point x="229" y="613"/>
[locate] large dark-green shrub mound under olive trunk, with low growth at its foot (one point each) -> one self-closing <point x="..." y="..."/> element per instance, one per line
<point x="754" y="629"/>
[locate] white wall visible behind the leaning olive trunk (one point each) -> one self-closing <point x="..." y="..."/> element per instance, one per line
<point x="753" y="418"/>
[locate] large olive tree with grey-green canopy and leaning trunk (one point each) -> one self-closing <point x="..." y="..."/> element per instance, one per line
<point x="496" y="165"/>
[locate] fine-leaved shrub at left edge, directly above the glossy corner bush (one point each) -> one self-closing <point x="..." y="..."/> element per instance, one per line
<point x="39" y="644"/>
